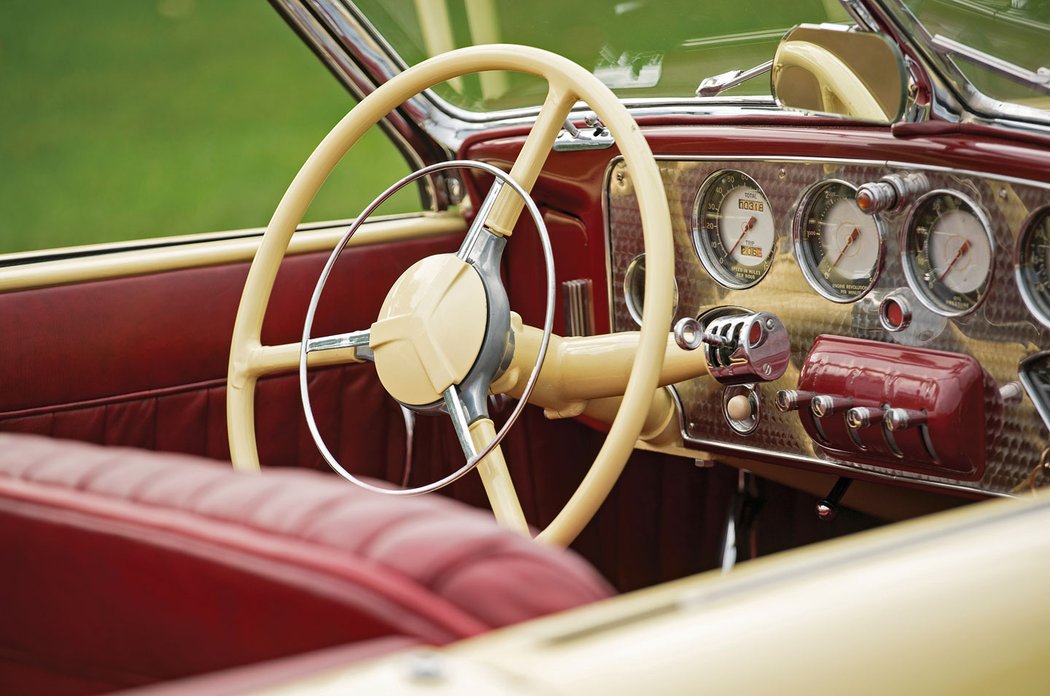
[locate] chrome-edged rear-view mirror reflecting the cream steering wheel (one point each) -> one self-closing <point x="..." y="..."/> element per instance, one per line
<point x="857" y="75"/>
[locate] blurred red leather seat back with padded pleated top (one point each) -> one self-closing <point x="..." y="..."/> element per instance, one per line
<point x="125" y="567"/>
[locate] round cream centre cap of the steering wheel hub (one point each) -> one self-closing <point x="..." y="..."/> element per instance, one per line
<point x="430" y="329"/>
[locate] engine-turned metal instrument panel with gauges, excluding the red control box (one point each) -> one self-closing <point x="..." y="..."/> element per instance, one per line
<point x="958" y="265"/>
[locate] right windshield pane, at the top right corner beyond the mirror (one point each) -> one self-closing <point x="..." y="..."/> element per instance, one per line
<point x="1015" y="32"/>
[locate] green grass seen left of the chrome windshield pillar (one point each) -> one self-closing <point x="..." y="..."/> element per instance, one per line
<point x="129" y="119"/>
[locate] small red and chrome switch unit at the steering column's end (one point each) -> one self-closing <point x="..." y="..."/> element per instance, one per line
<point x="740" y="347"/>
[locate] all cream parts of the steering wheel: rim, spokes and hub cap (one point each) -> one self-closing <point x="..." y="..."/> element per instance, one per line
<point x="409" y="321"/>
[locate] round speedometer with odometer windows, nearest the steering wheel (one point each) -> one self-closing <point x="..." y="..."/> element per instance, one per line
<point x="733" y="229"/>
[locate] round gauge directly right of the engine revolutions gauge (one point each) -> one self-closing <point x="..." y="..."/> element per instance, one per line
<point x="949" y="254"/>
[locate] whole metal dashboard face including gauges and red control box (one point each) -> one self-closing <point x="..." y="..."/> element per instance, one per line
<point x="917" y="300"/>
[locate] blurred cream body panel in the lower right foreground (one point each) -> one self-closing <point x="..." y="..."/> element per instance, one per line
<point x="952" y="604"/>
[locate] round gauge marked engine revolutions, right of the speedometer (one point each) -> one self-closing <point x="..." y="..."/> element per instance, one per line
<point x="838" y="247"/>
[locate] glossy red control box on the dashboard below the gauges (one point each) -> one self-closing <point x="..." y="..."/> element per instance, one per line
<point x="953" y="391"/>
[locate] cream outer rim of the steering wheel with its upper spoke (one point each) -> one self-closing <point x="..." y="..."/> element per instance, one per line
<point x="568" y="83"/>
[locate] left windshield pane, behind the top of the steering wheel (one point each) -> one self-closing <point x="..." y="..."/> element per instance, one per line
<point x="650" y="49"/>
